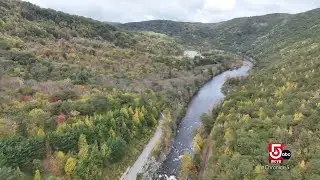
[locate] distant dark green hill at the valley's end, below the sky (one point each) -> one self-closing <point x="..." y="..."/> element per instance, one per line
<point x="232" y="35"/>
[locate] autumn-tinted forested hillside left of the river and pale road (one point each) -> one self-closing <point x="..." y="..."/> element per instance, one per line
<point x="80" y="98"/>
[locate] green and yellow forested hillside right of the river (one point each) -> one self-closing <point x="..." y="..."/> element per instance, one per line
<point x="278" y="103"/>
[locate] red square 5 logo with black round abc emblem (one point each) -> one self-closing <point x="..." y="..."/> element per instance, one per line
<point x="277" y="153"/>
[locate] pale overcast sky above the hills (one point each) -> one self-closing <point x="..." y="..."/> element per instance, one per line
<point x="178" y="10"/>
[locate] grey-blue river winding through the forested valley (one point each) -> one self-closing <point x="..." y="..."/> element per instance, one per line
<point x="207" y="97"/>
